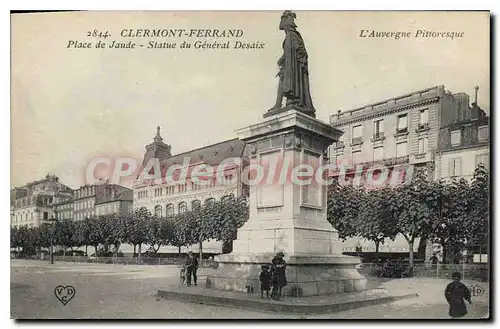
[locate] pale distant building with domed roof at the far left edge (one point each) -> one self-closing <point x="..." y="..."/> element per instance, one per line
<point x="32" y="204"/>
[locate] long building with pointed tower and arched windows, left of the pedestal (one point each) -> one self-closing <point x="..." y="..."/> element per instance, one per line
<point x="182" y="193"/>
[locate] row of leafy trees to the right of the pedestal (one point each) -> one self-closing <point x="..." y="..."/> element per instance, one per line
<point x="454" y="214"/>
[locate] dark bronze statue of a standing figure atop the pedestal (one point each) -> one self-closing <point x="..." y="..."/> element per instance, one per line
<point x="293" y="69"/>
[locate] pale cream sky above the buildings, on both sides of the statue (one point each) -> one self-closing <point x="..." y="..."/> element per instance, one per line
<point x="70" y="105"/>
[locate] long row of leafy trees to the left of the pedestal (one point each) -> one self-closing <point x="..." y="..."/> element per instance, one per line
<point x="218" y="220"/>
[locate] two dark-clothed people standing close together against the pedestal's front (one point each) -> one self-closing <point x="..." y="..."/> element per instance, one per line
<point x="273" y="277"/>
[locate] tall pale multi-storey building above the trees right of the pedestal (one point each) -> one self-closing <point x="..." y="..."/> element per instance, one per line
<point x="398" y="131"/>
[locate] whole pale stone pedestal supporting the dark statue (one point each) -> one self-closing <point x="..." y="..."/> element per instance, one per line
<point x="288" y="213"/>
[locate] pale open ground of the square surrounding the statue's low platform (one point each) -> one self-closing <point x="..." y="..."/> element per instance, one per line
<point x="128" y="291"/>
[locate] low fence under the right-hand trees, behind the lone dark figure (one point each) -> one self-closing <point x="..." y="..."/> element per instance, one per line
<point x="478" y="272"/>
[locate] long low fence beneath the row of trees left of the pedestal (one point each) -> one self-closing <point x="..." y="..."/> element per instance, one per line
<point x="126" y="260"/>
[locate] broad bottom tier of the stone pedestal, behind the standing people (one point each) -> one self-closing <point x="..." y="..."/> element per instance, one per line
<point x="306" y="275"/>
